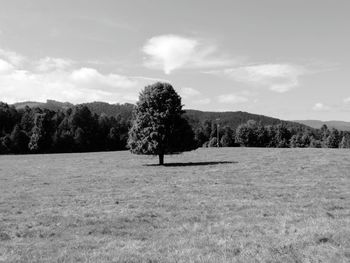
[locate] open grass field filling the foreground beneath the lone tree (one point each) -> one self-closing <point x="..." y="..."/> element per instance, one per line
<point x="228" y="205"/>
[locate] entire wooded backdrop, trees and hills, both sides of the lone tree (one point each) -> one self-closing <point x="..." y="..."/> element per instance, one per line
<point x="55" y="127"/>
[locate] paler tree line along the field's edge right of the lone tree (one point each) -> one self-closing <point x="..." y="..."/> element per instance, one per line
<point x="255" y="134"/>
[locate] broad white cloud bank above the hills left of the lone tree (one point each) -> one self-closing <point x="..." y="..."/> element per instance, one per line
<point x="56" y="78"/>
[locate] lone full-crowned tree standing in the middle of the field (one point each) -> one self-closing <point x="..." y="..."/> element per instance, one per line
<point x="158" y="127"/>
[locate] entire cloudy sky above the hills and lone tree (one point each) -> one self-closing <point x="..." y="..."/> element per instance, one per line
<point x="280" y="58"/>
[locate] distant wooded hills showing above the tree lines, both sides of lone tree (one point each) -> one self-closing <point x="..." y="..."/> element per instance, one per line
<point x="195" y="117"/>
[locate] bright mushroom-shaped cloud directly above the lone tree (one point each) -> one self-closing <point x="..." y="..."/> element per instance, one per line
<point x="170" y="52"/>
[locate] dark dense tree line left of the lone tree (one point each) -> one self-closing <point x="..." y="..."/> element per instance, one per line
<point x="36" y="130"/>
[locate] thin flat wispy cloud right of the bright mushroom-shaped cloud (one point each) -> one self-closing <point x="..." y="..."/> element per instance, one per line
<point x="277" y="77"/>
